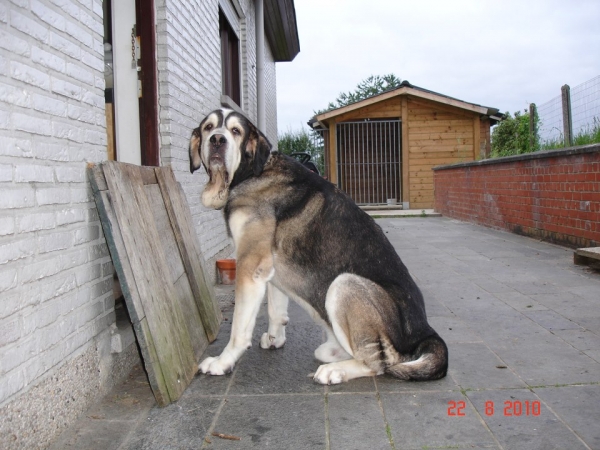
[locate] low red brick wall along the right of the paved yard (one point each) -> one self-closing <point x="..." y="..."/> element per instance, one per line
<point x="553" y="195"/>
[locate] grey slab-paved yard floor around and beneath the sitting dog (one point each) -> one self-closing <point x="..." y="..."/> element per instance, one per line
<point x="497" y="299"/>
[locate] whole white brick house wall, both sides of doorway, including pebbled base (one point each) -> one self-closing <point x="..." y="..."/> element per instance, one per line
<point x="56" y="300"/>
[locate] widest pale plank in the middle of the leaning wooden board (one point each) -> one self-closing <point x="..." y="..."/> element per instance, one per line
<point x="143" y="245"/>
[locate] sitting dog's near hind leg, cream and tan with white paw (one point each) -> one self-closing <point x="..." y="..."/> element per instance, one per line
<point x="358" y="328"/>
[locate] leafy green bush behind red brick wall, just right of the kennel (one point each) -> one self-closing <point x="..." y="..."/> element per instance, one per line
<point x="512" y="136"/>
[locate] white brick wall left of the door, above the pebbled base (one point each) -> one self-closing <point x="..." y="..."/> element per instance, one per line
<point x="54" y="276"/>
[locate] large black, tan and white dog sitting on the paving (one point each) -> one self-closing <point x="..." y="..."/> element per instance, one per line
<point x="298" y="236"/>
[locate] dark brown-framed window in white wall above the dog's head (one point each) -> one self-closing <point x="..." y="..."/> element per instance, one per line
<point x="230" y="60"/>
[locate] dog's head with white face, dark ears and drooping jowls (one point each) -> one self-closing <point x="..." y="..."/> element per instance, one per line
<point x="231" y="149"/>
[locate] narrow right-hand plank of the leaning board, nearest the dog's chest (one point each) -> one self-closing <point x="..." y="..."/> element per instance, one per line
<point x="189" y="249"/>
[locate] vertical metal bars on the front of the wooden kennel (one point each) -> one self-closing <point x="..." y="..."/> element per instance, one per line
<point x="369" y="161"/>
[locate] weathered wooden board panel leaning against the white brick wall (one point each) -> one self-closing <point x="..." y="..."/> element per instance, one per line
<point x="156" y="255"/>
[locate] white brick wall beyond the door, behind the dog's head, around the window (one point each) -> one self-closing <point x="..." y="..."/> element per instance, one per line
<point x="189" y="65"/>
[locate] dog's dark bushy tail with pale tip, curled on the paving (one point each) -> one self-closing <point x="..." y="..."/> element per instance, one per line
<point x="429" y="361"/>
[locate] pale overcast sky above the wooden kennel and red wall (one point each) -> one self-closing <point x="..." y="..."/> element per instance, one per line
<point x="503" y="54"/>
